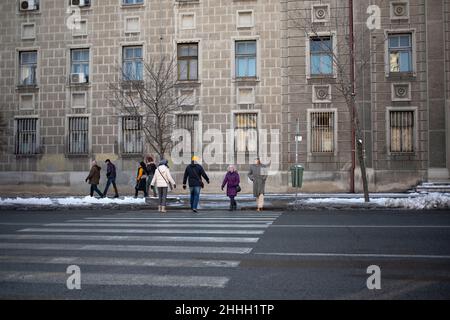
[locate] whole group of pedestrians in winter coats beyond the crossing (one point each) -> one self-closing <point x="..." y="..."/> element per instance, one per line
<point x="158" y="180"/>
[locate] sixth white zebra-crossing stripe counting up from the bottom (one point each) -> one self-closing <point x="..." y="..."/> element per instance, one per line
<point x="156" y="225"/>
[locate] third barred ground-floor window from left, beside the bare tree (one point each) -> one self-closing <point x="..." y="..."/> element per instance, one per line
<point x="132" y="135"/>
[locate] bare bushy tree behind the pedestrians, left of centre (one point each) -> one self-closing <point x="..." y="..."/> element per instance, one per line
<point x="151" y="96"/>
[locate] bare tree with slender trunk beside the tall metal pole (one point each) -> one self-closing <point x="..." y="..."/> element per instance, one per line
<point x="344" y="56"/>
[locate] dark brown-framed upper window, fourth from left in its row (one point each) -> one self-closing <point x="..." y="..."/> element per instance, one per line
<point x="188" y="61"/>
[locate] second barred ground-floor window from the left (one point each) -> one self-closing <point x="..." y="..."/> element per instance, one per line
<point x="78" y="135"/>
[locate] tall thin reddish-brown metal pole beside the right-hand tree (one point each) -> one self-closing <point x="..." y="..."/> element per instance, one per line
<point x="352" y="79"/>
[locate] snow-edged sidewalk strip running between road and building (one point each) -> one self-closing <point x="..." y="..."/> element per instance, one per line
<point x="415" y="201"/>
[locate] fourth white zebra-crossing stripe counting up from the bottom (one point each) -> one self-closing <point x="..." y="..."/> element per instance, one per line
<point x="126" y="238"/>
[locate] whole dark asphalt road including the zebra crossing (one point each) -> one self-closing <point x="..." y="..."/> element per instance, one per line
<point x="218" y="255"/>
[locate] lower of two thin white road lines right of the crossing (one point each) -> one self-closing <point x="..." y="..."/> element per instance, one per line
<point x="355" y="255"/>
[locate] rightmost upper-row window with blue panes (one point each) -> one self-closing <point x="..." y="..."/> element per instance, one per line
<point x="400" y="53"/>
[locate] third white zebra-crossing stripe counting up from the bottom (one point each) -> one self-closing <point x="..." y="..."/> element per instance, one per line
<point x="128" y="248"/>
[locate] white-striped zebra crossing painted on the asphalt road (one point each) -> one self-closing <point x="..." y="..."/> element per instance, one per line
<point x="149" y="249"/>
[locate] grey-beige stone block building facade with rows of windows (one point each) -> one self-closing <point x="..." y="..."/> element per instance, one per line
<point x="247" y="65"/>
